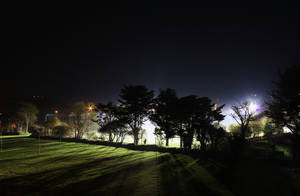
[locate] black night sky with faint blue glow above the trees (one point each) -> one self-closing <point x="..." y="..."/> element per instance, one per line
<point x="83" y="52"/>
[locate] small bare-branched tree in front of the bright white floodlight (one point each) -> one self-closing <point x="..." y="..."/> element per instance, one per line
<point x="243" y="115"/>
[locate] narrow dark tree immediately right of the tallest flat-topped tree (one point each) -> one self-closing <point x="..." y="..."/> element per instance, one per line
<point x="164" y="114"/>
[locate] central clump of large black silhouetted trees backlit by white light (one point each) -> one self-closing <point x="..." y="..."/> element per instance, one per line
<point x="188" y="117"/>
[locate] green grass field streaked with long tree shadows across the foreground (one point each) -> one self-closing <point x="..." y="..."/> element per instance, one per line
<point x="83" y="169"/>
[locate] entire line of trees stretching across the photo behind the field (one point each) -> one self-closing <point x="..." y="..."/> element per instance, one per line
<point x="191" y="118"/>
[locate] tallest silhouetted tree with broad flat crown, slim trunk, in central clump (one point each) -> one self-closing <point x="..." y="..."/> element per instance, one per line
<point x="137" y="103"/>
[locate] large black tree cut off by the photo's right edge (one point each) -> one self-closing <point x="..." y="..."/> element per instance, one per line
<point x="284" y="107"/>
